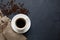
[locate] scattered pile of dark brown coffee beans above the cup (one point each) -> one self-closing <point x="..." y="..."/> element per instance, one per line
<point x="12" y="7"/>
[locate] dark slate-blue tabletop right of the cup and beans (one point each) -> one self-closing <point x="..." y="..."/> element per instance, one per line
<point x="45" y="17"/>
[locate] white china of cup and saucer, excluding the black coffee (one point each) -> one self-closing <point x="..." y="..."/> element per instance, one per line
<point x="24" y="29"/>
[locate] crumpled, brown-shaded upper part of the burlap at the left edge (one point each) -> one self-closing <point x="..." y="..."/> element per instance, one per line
<point x="4" y="22"/>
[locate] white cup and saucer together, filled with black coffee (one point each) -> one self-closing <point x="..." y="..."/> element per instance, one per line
<point x="21" y="23"/>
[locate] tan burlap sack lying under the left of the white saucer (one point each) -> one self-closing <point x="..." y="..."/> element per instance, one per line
<point x="6" y="32"/>
